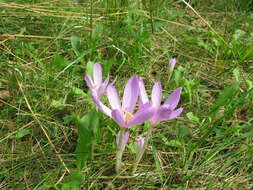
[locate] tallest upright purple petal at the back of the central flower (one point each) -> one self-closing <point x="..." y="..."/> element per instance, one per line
<point x="131" y="93"/>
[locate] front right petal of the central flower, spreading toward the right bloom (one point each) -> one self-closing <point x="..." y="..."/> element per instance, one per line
<point x="143" y="114"/>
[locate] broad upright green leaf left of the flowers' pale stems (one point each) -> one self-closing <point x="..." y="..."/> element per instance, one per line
<point x="87" y="131"/>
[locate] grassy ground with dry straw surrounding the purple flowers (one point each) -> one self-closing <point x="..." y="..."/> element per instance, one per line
<point x="45" y="46"/>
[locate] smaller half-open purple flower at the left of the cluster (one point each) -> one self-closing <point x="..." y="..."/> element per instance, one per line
<point x="98" y="88"/>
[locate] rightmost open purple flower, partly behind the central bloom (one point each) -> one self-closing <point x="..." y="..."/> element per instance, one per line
<point x="167" y="110"/>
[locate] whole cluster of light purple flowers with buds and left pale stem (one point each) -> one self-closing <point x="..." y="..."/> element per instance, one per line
<point x="127" y="113"/>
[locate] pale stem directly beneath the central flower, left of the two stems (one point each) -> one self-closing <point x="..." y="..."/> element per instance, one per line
<point x="119" y="153"/>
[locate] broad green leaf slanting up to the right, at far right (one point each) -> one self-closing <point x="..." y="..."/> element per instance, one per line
<point x="225" y="97"/>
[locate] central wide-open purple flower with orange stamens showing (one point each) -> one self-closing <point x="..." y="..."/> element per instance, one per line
<point x="124" y="114"/>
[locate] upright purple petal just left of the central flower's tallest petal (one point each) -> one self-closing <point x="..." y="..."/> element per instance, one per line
<point x="113" y="97"/>
